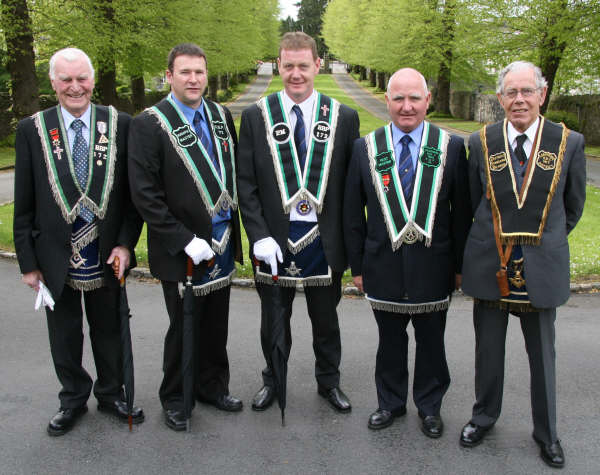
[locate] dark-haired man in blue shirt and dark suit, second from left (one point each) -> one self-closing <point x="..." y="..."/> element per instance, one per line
<point x="182" y="169"/>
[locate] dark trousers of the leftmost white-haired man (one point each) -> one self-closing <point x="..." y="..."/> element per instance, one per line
<point x="65" y="331"/>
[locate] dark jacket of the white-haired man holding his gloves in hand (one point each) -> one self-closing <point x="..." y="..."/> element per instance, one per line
<point x="42" y="236"/>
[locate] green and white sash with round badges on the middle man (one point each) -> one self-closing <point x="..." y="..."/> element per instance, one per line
<point x="294" y="184"/>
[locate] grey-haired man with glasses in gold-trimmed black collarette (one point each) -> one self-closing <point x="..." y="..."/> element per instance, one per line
<point x="527" y="181"/>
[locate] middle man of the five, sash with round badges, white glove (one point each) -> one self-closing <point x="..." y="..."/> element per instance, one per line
<point x="294" y="150"/>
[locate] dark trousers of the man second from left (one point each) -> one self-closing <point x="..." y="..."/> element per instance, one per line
<point x="211" y="363"/>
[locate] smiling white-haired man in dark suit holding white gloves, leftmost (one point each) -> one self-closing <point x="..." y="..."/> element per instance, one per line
<point x="72" y="219"/>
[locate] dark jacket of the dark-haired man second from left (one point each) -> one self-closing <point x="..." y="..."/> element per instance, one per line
<point x="167" y="198"/>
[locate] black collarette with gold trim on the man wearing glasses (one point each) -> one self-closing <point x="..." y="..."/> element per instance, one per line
<point x="522" y="213"/>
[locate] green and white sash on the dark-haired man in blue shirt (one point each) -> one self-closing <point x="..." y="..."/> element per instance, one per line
<point x="217" y="189"/>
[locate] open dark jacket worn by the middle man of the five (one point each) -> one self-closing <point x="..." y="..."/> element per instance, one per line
<point x="260" y="200"/>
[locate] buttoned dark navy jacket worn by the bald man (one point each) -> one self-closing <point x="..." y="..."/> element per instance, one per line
<point x="416" y="272"/>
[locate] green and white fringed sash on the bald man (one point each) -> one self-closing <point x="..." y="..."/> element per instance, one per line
<point x="408" y="224"/>
